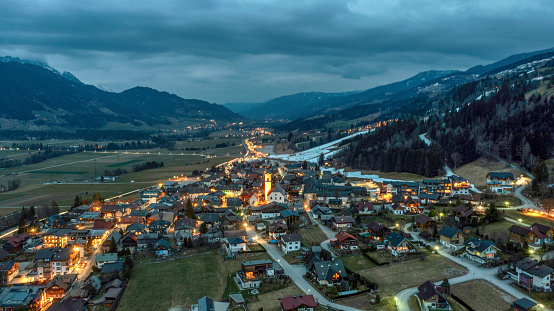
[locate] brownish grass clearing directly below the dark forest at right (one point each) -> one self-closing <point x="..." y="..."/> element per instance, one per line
<point x="476" y="171"/>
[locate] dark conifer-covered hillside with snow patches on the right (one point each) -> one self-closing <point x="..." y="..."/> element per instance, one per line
<point x="509" y="117"/>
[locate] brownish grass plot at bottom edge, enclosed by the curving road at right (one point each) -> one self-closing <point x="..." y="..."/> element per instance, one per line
<point x="482" y="295"/>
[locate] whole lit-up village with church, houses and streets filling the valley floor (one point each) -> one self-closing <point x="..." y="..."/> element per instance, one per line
<point x="323" y="240"/>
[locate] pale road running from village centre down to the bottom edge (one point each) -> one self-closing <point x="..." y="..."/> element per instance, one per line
<point x="293" y="272"/>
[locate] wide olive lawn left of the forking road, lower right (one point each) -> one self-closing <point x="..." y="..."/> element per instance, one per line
<point x="396" y="277"/>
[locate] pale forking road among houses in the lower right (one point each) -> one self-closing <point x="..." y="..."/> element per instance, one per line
<point x="475" y="272"/>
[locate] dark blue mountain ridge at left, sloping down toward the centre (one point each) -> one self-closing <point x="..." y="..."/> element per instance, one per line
<point x="36" y="96"/>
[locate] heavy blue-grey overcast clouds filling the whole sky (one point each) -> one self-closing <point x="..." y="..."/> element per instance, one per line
<point x="222" y="50"/>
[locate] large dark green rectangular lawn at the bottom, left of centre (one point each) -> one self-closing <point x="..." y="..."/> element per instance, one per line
<point x="174" y="283"/>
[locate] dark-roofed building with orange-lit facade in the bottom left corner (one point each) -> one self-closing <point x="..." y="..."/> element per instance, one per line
<point x="21" y="296"/>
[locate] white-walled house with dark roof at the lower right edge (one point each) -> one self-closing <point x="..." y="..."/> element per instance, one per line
<point x="532" y="275"/>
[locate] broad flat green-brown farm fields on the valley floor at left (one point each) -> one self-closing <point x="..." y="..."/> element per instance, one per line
<point x="75" y="172"/>
